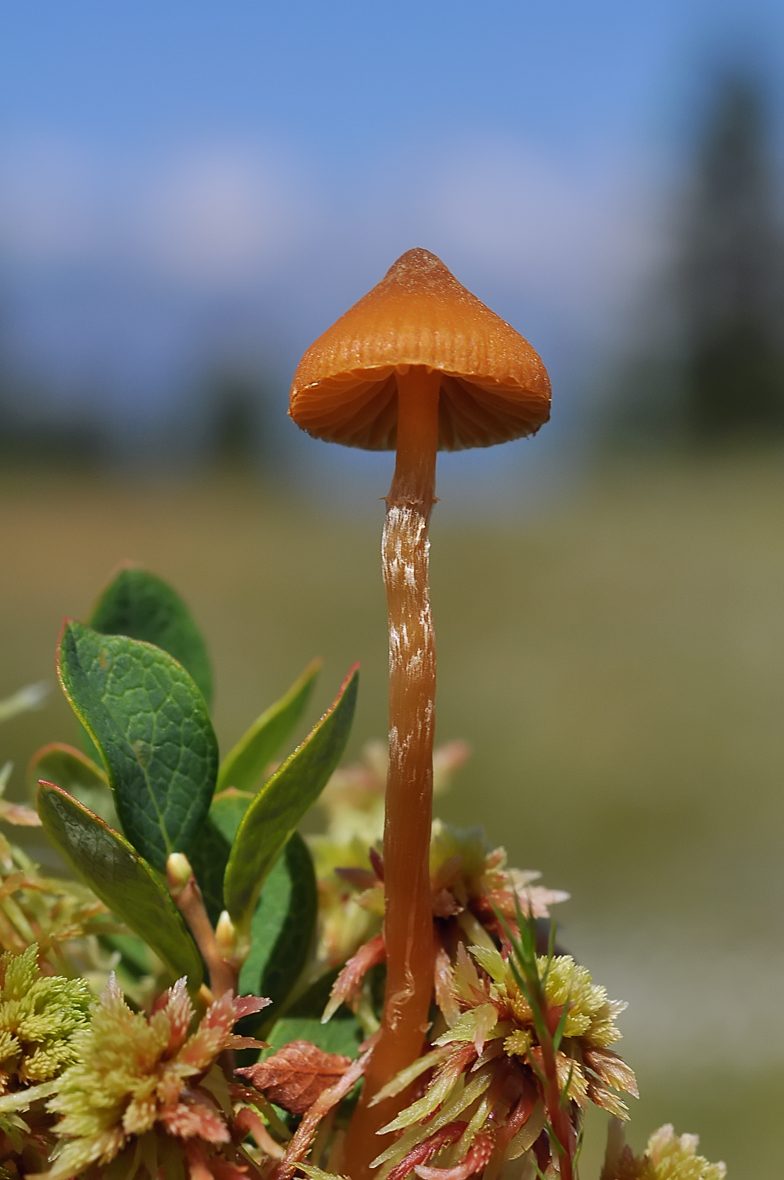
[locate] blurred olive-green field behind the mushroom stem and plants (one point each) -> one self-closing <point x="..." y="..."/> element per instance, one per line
<point x="617" y="664"/>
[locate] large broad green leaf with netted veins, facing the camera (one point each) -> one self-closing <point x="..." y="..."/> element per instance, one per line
<point x="151" y="724"/>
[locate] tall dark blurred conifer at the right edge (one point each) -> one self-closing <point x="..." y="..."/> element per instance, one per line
<point x="731" y="277"/>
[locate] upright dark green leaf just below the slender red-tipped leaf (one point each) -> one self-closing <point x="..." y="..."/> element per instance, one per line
<point x="283" y="926"/>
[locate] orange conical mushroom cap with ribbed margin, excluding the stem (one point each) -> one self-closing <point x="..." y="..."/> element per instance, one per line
<point x="494" y="386"/>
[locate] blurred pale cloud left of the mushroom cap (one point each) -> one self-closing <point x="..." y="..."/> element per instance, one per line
<point x="215" y="215"/>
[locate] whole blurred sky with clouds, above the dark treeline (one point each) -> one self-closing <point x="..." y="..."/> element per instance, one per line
<point x="185" y="182"/>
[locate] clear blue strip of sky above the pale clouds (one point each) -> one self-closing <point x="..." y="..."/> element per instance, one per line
<point x="343" y="81"/>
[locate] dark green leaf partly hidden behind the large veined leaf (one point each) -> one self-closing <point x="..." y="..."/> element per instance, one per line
<point x="143" y="607"/>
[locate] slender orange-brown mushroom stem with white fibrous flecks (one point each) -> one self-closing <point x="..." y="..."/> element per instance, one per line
<point x="409" y="916"/>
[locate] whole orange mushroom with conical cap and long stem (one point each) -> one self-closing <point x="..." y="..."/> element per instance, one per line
<point x="419" y="365"/>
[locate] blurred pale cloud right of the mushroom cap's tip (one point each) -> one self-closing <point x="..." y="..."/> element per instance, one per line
<point x="577" y="233"/>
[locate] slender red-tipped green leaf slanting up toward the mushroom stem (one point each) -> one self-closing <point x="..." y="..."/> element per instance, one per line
<point x="282" y="804"/>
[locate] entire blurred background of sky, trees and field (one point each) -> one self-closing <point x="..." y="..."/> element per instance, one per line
<point x="192" y="192"/>
